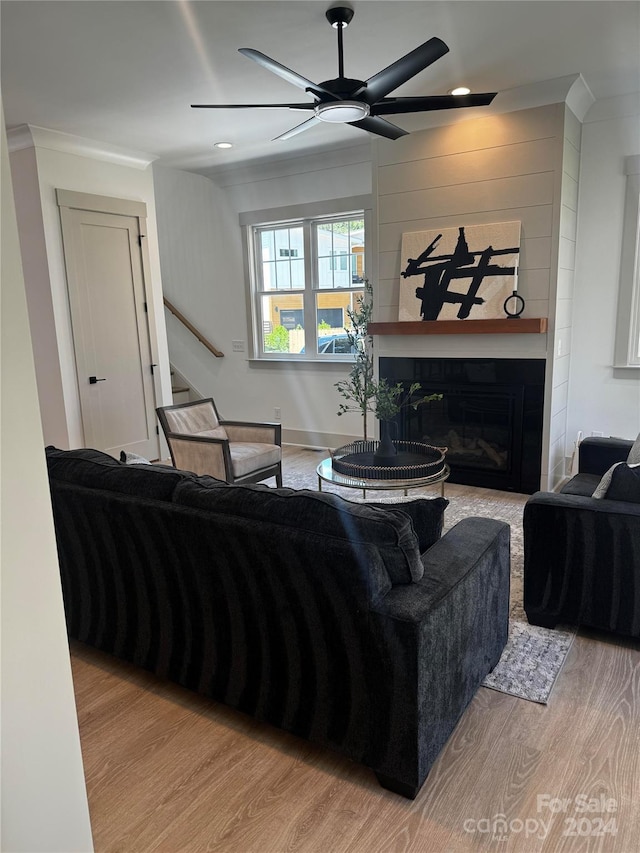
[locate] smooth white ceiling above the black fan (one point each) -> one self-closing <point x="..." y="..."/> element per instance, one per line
<point x="125" y="73"/>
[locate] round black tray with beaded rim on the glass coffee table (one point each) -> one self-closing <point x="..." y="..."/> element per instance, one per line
<point x="414" y="461"/>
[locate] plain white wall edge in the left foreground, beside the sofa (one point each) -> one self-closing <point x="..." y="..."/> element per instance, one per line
<point x="44" y="804"/>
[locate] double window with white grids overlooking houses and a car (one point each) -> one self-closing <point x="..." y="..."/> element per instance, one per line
<point x="305" y="274"/>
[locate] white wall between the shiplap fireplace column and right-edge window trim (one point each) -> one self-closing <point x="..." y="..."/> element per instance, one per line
<point x="602" y="399"/>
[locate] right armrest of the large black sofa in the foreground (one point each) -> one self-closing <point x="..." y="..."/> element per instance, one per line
<point x="436" y="641"/>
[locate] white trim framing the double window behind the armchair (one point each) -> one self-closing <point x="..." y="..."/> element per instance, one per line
<point x="294" y="213"/>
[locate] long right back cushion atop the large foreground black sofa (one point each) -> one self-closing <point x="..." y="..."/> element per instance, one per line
<point x="389" y="531"/>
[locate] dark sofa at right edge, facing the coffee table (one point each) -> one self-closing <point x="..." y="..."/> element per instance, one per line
<point x="582" y="554"/>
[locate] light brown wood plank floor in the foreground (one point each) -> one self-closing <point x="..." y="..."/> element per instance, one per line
<point x="168" y="771"/>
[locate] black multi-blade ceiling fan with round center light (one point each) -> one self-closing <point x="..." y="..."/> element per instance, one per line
<point x="361" y="103"/>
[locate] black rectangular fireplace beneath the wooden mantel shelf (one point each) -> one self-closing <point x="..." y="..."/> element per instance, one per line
<point x="490" y="416"/>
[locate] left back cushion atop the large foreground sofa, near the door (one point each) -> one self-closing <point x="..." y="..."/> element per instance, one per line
<point x="97" y="470"/>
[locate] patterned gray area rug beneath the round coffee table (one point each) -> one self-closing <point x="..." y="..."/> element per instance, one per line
<point x="533" y="657"/>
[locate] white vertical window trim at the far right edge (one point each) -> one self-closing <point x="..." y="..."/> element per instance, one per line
<point x="628" y="323"/>
